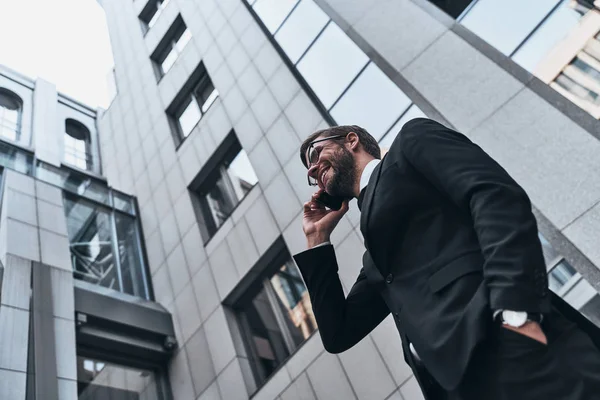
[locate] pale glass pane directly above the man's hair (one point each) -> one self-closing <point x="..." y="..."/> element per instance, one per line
<point x="373" y="102"/>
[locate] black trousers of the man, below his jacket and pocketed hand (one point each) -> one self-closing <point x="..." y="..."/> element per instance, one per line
<point x="511" y="366"/>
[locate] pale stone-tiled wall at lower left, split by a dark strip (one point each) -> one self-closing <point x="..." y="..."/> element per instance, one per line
<point x="33" y="229"/>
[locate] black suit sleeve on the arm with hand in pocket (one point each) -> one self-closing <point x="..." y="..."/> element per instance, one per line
<point x="514" y="268"/>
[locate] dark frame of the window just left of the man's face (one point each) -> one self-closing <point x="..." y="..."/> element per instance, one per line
<point x="205" y="181"/>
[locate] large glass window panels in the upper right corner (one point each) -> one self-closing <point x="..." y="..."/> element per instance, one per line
<point x="556" y="40"/>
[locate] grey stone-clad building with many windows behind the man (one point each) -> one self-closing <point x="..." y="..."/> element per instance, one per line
<point x="146" y="249"/>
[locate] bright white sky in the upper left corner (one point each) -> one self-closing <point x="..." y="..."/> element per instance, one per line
<point x="65" y="42"/>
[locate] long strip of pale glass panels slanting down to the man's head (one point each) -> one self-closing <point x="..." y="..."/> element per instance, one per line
<point x="354" y="91"/>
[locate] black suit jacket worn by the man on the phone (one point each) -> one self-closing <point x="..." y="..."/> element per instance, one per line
<point x="450" y="236"/>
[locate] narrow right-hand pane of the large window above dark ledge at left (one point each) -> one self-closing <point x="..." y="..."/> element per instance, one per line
<point x="130" y="256"/>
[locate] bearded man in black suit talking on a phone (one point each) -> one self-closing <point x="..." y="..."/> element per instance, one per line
<point x="452" y="251"/>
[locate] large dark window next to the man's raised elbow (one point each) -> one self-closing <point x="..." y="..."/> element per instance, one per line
<point x="275" y="316"/>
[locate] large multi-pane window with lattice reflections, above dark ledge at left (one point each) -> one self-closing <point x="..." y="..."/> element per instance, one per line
<point x="105" y="245"/>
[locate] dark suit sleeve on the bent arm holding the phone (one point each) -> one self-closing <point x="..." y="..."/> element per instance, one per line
<point x="343" y="321"/>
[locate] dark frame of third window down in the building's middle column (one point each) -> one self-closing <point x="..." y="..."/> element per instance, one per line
<point x="198" y="80"/>
